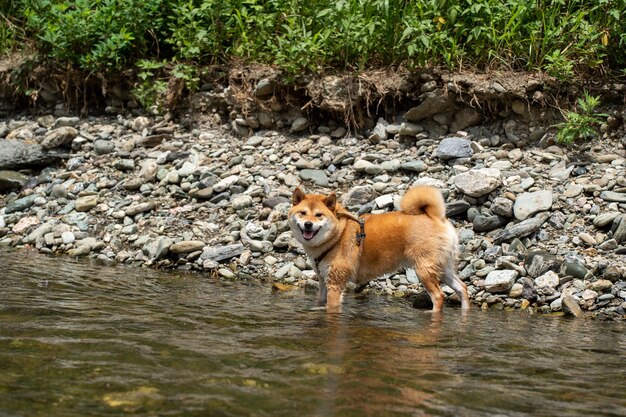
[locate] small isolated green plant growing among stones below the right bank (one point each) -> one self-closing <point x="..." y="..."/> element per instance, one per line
<point x="580" y="125"/>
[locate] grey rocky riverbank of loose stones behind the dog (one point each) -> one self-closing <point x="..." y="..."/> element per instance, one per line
<point x="542" y="227"/>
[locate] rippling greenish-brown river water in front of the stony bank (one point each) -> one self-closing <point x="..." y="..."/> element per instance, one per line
<point x="81" y="339"/>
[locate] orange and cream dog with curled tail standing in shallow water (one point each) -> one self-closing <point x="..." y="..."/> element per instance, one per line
<point x="345" y="248"/>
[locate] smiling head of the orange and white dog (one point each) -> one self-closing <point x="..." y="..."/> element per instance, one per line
<point x="312" y="217"/>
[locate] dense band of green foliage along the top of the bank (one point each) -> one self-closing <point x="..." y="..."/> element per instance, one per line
<point x="566" y="38"/>
